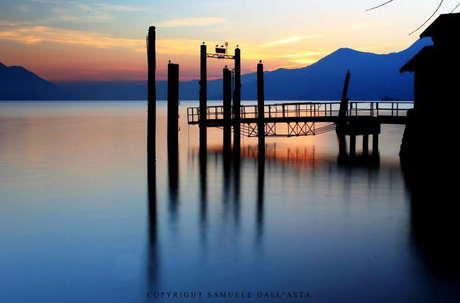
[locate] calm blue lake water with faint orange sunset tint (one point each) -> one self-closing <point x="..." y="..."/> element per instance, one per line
<point x="77" y="225"/>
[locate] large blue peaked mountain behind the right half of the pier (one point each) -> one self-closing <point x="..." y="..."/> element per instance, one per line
<point x="373" y="76"/>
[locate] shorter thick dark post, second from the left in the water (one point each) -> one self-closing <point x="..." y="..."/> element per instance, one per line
<point x="173" y="108"/>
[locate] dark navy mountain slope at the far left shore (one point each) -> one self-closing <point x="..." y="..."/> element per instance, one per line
<point x="17" y="83"/>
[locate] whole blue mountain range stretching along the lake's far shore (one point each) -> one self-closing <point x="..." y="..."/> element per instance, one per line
<point x="373" y="76"/>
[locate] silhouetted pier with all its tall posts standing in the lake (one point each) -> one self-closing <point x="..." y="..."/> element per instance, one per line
<point x="262" y="120"/>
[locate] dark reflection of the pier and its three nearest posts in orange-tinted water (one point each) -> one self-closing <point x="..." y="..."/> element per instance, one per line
<point x="283" y="165"/>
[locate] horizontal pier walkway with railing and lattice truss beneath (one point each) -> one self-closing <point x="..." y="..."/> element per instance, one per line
<point x="302" y="116"/>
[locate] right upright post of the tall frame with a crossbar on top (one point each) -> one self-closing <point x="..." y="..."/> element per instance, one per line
<point x="237" y="103"/>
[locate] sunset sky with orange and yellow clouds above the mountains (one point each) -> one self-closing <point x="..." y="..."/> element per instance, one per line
<point x="102" y="40"/>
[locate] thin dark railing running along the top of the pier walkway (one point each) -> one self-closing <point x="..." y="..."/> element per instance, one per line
<point x="306" y="109"/>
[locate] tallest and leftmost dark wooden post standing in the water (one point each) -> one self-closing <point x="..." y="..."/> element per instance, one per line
<point x="151" y="107"/>
